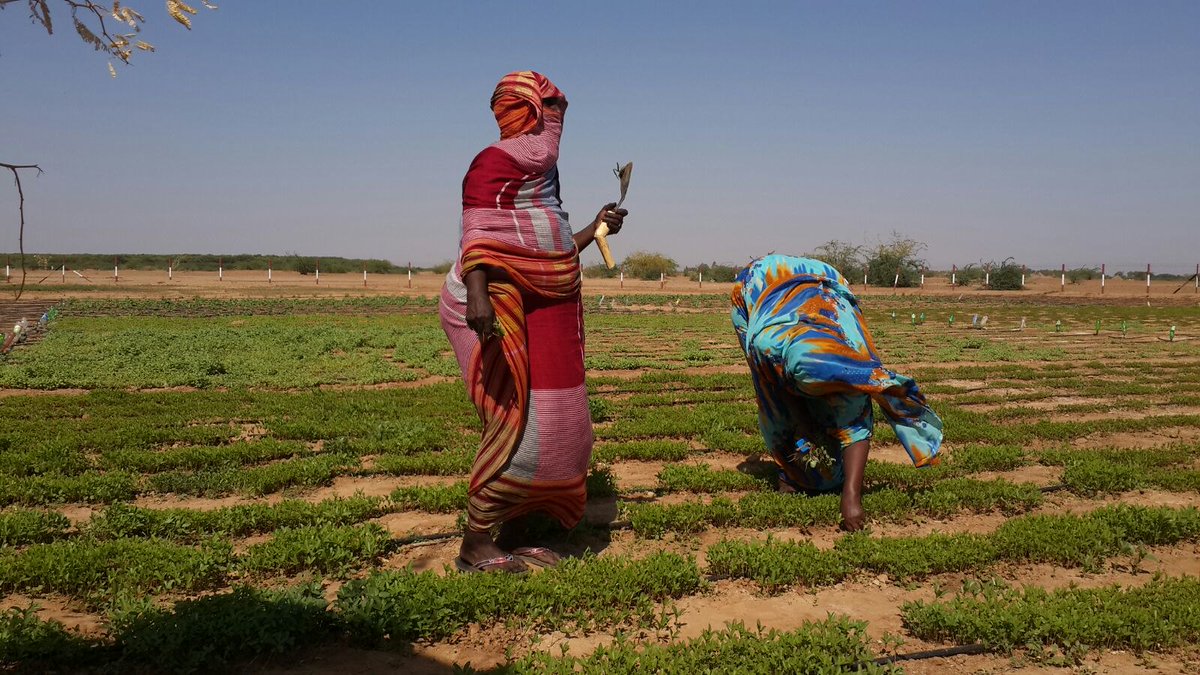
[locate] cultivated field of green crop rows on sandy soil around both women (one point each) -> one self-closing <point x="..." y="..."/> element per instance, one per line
<point x="206" y="476"/>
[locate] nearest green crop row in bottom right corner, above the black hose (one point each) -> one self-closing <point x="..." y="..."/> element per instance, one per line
<point x="1162" y="614"/>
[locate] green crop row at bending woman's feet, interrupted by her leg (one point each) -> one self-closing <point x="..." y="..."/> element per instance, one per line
<point x="773" y="510"/>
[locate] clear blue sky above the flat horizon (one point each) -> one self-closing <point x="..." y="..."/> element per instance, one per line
<point x="1057" y="133"/>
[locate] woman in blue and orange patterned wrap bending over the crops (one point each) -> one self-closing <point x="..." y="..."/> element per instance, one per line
<point x="815" y="373"/>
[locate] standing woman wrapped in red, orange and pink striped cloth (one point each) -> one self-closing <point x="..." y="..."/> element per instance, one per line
<point x="514" y="316"/>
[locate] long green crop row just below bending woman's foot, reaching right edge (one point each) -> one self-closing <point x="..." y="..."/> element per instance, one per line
<point x="1075" y="541"/>
